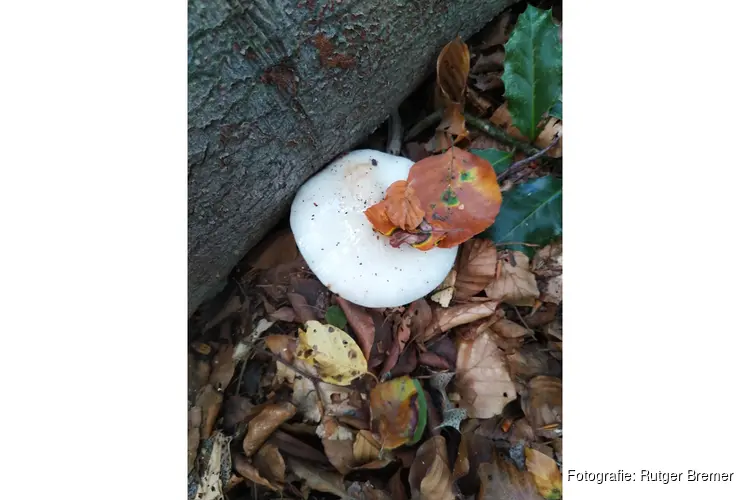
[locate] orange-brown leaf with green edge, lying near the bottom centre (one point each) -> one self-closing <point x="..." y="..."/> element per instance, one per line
<point x="398" y="412"/>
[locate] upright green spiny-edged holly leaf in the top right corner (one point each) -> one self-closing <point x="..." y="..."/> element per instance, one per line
<point x="533" y="69"/>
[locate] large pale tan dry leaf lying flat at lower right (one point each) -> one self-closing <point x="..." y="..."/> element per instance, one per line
<point x="482" y="377"/>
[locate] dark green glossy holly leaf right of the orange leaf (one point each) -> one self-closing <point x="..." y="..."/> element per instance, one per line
<point x="530" y="213"/>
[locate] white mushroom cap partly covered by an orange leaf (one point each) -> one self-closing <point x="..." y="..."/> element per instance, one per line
<point x="343" y="250"/>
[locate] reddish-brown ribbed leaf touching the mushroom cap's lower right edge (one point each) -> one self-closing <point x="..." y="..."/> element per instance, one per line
<point x="476" y="267"/>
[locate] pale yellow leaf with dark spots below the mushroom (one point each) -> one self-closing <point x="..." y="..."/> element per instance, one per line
<point x="335" y="355"/>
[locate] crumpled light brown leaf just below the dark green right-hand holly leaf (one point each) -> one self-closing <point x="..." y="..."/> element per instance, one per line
<point x="514" y="284"/>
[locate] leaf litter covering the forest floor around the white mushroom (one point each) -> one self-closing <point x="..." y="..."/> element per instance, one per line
<point x="297" y="392"/>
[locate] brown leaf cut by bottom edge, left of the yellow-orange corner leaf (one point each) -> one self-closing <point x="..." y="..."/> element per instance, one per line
<point x="501" y="480"/>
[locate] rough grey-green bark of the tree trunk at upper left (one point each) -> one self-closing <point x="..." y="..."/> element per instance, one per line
<point x="278" y="88"/>
